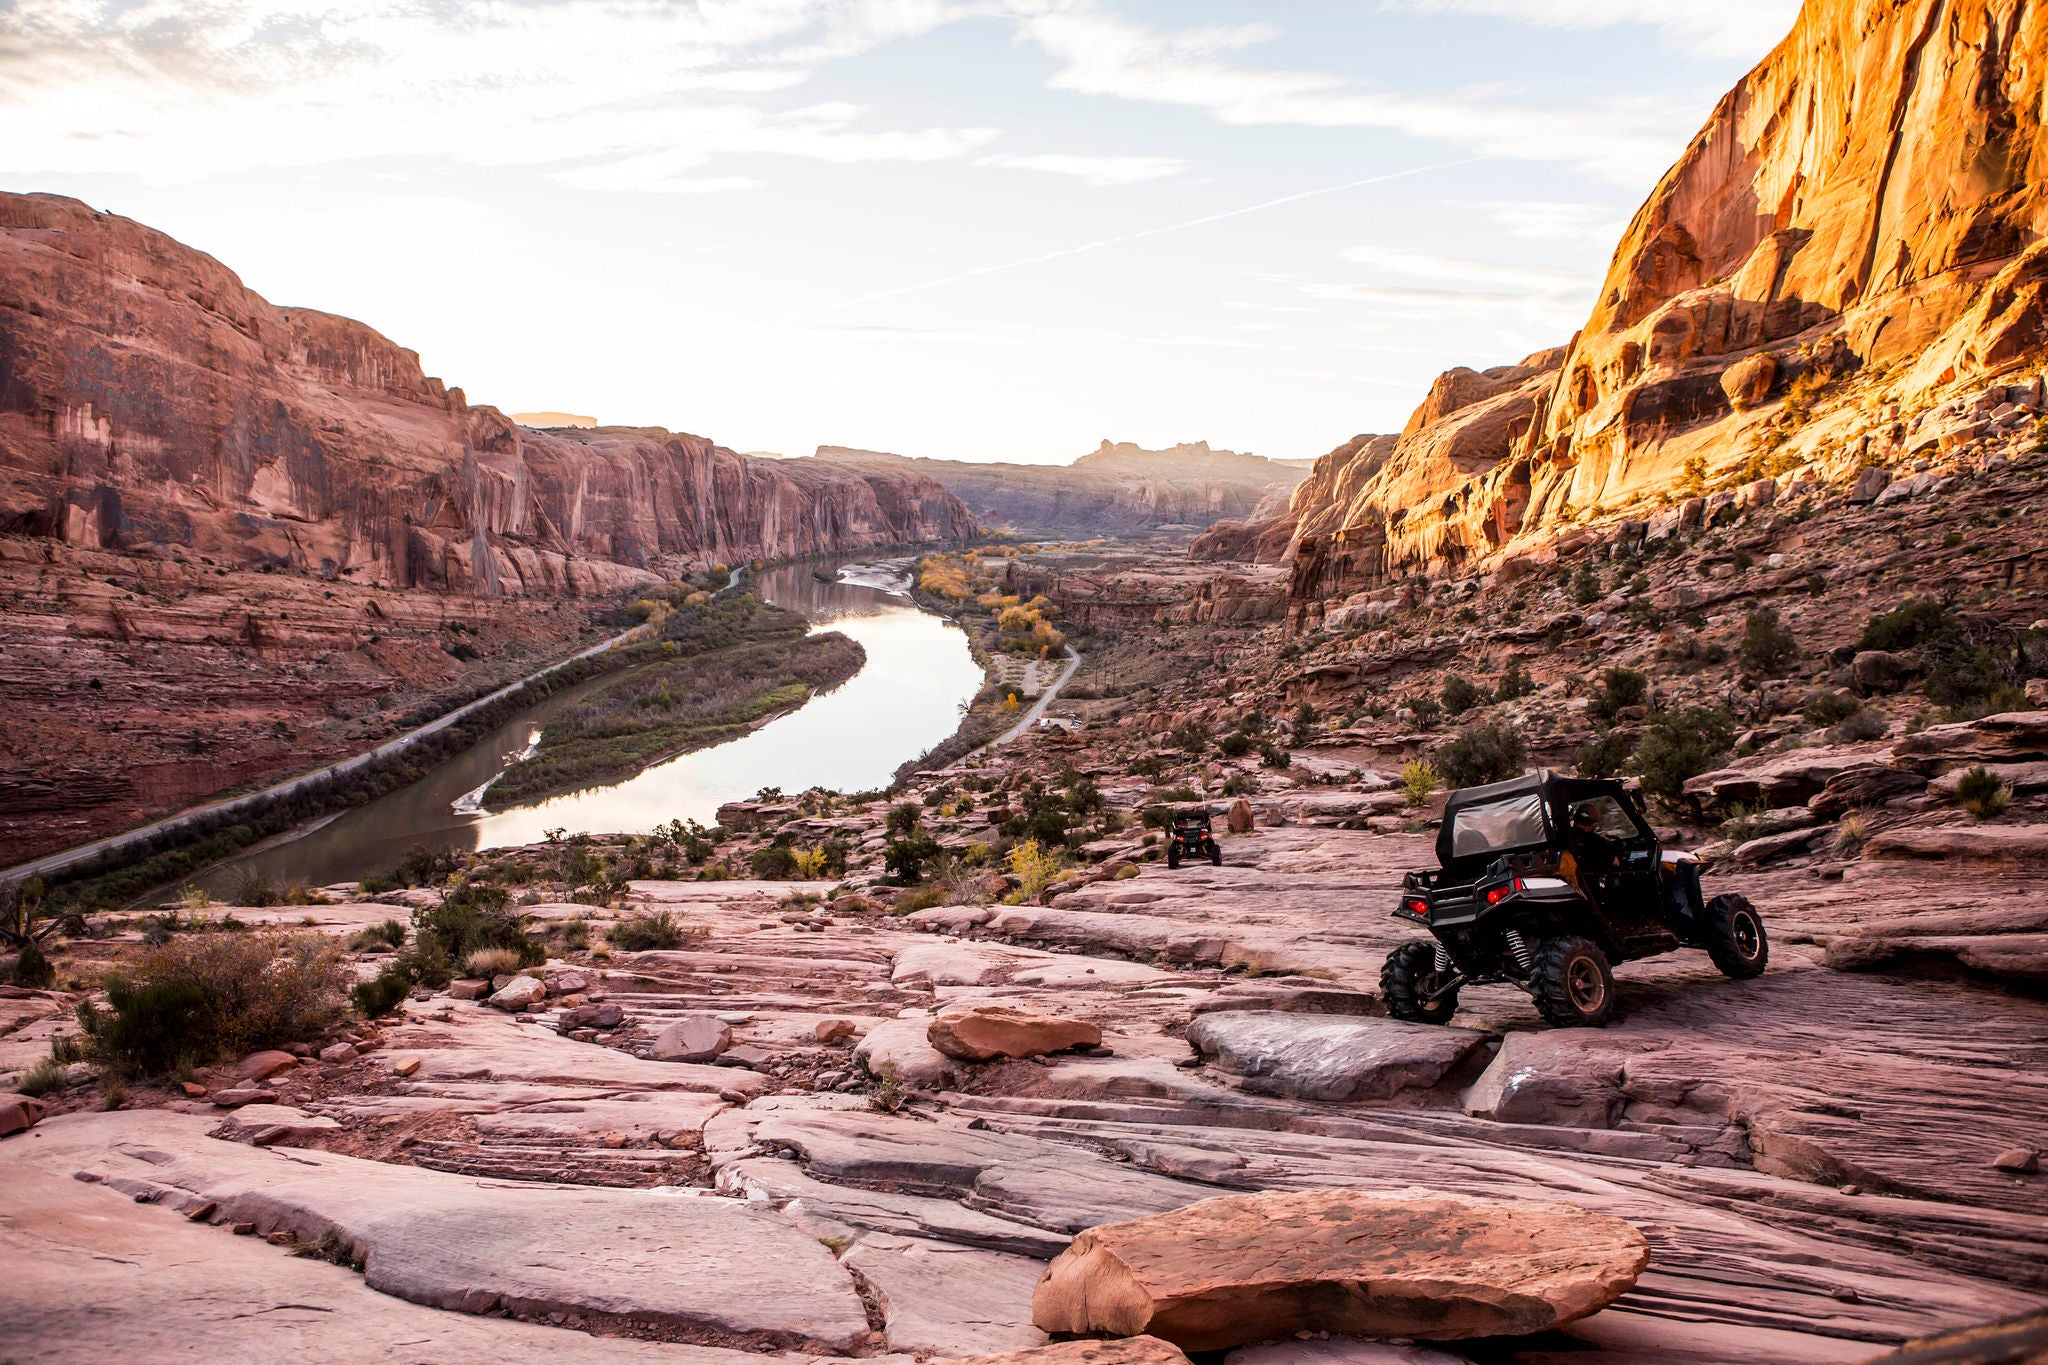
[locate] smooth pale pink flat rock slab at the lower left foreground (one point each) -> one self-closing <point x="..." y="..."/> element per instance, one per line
<point x="695" y="1266"/>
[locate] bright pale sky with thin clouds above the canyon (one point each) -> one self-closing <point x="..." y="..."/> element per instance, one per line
<point x="988" y="230"/>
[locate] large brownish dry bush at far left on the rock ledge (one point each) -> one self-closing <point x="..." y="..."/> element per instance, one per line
<point x="216" y="996"/>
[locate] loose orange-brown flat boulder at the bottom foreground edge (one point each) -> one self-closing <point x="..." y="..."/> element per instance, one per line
<point x="1408" y="1264"/>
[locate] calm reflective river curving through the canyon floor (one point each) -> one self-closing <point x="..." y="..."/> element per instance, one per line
<point x="906" y="699"/>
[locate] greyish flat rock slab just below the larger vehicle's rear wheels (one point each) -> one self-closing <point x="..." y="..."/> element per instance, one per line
<point x="1330" y="1057"/>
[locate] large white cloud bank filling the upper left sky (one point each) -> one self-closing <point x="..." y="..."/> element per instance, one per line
<point x="595" y="91"/>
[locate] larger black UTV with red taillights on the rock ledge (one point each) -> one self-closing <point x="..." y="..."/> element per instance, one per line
<point x="1545" y="883"/>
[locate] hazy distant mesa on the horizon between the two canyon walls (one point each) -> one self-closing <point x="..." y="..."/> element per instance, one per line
<point x="1113" y="490"/>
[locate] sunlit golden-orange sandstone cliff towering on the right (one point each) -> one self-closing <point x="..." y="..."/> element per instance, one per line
<point x="1859" y="222"/>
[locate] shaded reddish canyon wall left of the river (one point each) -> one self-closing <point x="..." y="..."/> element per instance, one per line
<point x="148" y="400"/>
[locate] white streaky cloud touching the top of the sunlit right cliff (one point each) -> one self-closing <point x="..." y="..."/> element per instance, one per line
<point x="1629" y="140"/>
